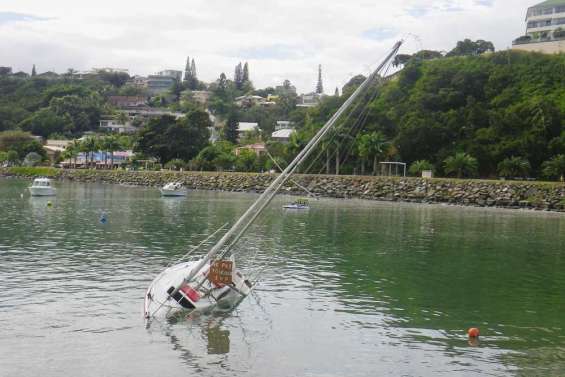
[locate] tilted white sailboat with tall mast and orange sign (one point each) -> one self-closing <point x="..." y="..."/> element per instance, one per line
<point x="213" y="282"/>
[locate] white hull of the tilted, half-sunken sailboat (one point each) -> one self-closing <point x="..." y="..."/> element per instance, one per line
<point x="160" y="304"/>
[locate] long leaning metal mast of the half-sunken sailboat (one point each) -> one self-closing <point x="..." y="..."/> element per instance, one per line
<point x="245" y="221"/>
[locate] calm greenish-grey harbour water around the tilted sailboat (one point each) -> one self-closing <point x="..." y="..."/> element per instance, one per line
<point x="350" y="288"/>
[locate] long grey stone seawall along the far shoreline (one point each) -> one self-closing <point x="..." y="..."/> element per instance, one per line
<point x="508" y="194"/>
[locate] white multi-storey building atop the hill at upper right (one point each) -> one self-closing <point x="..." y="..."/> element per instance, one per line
<point x="545" y="28"/>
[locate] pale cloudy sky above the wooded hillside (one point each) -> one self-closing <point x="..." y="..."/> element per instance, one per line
<point x="280" y="39"/>
